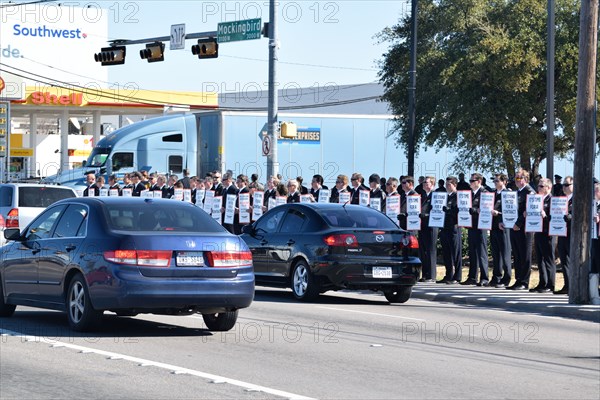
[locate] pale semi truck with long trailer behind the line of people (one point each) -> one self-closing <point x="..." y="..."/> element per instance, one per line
<point x="232" y="140"/>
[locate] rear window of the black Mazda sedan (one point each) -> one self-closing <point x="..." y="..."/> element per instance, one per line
<point x="346" y="217"/>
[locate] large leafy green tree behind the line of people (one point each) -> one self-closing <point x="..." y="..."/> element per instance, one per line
<point x="481" y="86"/>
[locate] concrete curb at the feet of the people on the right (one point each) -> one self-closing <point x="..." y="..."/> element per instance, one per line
<point x="519" y="301"/>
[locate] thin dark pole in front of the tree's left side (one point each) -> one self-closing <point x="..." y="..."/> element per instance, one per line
<point x="412" y="89"/>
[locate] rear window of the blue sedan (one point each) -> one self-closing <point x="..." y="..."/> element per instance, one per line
<point x="163" y="217"/>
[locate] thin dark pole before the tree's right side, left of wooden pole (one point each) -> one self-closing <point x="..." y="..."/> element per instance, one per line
<point x="550" y="92"/>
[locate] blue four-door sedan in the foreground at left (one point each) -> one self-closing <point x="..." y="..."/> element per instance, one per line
<point x="126" y="255"/>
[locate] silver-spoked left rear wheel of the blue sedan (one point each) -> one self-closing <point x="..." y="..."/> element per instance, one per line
<point x="82" y="316"/>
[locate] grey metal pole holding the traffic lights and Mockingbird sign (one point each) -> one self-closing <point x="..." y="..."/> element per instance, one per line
<point x="272" y="117"/>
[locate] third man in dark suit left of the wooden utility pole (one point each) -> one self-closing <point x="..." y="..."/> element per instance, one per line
<point x="521" y="241"/>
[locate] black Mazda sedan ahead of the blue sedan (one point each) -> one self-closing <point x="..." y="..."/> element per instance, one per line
<point x="316" y="247"/>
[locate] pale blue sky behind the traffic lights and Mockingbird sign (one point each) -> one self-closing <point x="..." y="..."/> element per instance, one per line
<point x="321" y="43"/>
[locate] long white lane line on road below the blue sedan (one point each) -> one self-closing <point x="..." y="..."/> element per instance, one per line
<point x="172" y="368"/>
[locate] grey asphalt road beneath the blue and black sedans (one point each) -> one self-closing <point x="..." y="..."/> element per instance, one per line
<point x="346" y="345"/>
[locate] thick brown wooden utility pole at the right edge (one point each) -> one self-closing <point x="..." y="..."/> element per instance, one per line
<point x="585" y="148"/>
